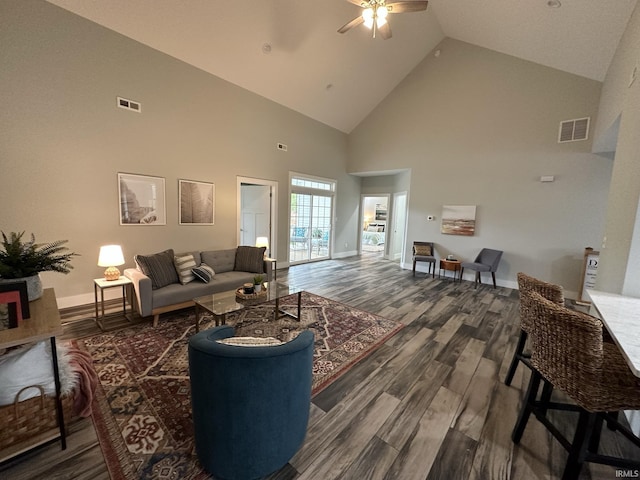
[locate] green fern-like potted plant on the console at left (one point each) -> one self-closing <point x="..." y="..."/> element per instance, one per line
<point x="24" y="260"/>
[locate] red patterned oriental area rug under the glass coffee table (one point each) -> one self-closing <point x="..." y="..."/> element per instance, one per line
<point x="142" y="409"/>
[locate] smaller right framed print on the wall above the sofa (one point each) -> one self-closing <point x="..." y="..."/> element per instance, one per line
<point x="197" y="202"/>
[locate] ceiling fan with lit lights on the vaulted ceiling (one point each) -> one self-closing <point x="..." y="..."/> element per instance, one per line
<point x="374" y="14"/>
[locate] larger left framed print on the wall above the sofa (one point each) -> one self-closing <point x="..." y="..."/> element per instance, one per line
<point x="142" y="200"/>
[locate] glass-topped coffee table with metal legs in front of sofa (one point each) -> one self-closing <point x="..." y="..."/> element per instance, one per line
<point x="219" y="304"/>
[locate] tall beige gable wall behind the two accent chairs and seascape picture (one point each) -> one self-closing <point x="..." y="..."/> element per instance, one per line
<point x="477" y="127"/>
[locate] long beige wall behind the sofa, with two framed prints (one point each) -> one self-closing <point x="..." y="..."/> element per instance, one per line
<point x="62" y="142"/>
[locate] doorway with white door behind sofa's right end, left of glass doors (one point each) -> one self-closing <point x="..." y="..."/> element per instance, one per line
<point x="257" y="200"/>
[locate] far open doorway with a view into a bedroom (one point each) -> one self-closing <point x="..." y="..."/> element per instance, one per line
<point x="374" y="221"/>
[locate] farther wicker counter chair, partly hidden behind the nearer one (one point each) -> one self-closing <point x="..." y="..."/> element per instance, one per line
<point x="550" y="291"/>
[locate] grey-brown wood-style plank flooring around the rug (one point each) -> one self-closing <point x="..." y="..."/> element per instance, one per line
<point x="429" y="404"/>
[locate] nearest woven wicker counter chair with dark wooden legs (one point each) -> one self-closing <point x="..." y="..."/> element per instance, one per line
<point x="568" y="351"/>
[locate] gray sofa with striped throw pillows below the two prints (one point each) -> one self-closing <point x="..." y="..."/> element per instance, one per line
<point x="157" y="292"/>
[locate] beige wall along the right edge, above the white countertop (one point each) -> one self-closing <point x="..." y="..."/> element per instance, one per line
<point x="619" y="267"/>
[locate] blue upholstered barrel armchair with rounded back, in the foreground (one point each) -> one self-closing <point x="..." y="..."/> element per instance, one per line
<point x="250" y="403"/>
